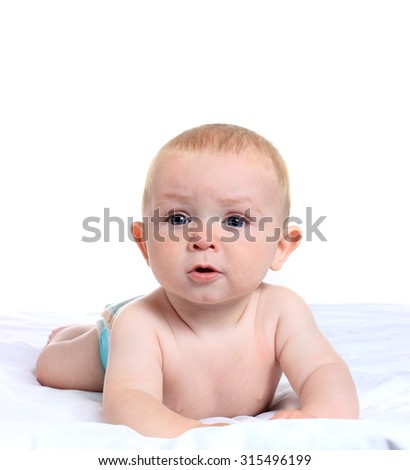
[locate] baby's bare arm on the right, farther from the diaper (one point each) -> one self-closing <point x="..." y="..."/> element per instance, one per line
<point x="316" y="372"/>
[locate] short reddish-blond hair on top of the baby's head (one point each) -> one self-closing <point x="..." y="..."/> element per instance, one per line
<point x="225" y="138"/>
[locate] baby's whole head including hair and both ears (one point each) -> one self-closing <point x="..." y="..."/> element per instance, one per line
<point x="214" y="199"/>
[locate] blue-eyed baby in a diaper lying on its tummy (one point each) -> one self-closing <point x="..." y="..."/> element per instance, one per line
<point x="213" y="339"/>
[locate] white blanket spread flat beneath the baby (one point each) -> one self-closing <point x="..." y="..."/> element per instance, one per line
<point x="373" y="339"/>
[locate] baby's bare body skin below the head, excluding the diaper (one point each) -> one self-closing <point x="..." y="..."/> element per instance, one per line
<point x="186" y="372"/>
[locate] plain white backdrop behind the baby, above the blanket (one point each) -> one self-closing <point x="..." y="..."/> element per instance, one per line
<point x="89" y="91"/>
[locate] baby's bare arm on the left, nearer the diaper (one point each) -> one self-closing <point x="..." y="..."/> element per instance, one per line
<point x="133" y="382"/>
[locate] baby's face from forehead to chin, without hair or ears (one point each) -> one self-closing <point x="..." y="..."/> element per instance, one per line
<point x="209" y="220"/>
